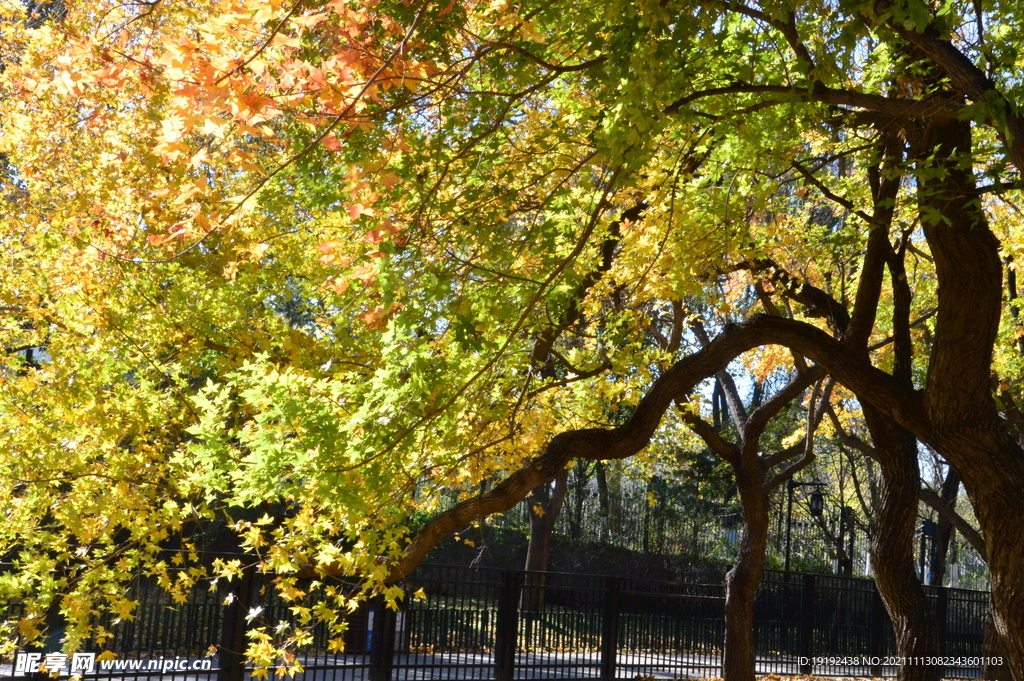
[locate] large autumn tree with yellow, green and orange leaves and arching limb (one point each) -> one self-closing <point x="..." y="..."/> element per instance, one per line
<point x="345" y="257"/>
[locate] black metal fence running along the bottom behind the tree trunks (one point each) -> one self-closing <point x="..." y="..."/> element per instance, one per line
<point x="492" y="624"/>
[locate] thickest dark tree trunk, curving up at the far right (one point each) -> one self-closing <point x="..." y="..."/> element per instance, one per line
<point x="964" y="423"/>
